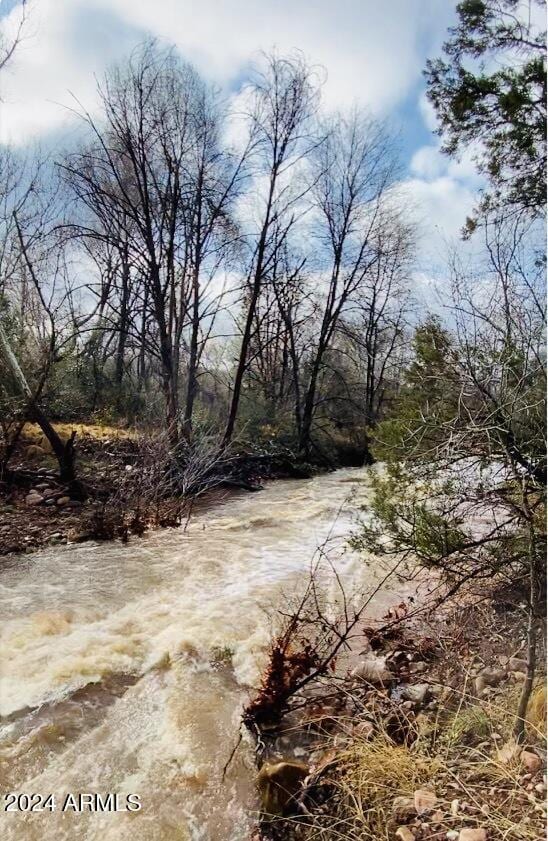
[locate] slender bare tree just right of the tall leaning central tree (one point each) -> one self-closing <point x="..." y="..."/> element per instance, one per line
<point x="354" y="170"/>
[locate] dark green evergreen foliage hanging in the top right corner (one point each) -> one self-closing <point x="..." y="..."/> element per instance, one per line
<point x="489" y="92"/>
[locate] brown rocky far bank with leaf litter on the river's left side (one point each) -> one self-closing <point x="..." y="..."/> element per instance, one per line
<point x="37" y="509"/>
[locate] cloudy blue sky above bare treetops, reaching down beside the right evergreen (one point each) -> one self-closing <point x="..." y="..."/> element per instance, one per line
<point x="374" y="53"/>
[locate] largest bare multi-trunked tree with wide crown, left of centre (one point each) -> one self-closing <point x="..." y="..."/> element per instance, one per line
<point x="155" y="167"/>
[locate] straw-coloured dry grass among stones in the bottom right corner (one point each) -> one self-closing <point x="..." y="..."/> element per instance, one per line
<point x="457" y="758"/>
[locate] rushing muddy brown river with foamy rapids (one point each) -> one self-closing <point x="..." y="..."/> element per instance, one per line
<point x="124" y="668"/>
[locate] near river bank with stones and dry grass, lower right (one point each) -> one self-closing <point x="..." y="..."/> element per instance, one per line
<point x="414" y="738"/>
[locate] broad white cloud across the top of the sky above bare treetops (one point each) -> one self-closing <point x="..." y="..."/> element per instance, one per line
<point x="373" y="53"/>
